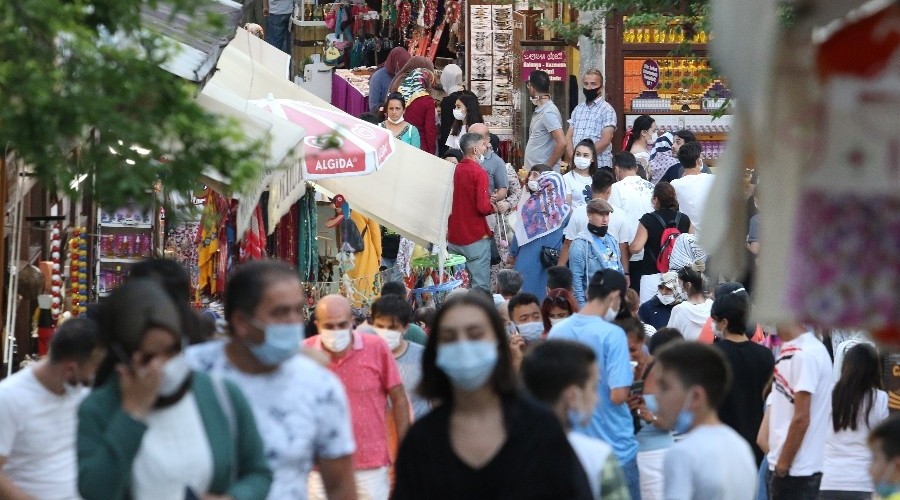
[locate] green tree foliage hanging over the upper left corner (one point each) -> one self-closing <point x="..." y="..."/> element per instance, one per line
<point x="83" y="94"/>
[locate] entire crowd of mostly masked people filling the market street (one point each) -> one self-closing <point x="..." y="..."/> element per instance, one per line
<point x="591" y="357"/>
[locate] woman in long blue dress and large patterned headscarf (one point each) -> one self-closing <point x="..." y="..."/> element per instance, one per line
<point x="538" y="230"/>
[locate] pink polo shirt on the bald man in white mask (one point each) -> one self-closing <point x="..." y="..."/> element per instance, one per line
<point x="368" y="372"/>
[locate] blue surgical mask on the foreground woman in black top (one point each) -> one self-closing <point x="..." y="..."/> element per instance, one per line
<point x="467" y="363"/>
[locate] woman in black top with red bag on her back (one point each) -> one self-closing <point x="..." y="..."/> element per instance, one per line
<point x="651" y="226"/>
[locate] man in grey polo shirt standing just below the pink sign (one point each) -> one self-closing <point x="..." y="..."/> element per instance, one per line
<point x="546" y="140"/>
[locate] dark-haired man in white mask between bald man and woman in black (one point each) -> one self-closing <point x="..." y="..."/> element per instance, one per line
<point x="390" y="318"/>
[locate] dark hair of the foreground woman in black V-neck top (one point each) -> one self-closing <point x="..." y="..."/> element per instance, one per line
<point x="435" y="384"/>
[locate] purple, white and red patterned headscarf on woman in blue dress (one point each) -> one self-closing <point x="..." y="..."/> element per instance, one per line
<point x="544" y="211"/>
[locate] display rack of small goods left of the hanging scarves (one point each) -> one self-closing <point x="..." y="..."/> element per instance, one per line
<point x="124" y="237"/>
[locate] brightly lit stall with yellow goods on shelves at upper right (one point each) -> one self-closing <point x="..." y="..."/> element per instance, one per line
<point x="649" y="70"/>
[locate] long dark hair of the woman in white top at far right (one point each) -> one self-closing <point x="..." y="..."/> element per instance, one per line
<point x="860" y="377"/>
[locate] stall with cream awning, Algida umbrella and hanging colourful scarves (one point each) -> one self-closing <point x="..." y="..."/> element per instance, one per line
<point x="344" y="173"/>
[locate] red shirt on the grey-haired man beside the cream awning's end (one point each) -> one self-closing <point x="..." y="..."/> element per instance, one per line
<point x="471" y="204"/>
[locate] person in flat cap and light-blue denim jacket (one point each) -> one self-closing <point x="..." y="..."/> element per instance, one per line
<point x="593" y="250"/>
